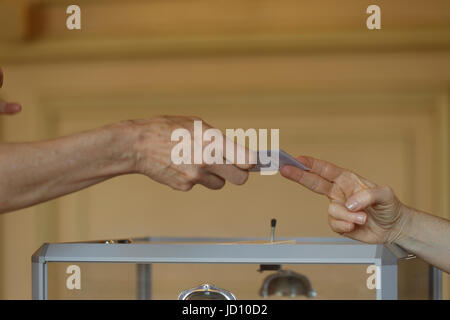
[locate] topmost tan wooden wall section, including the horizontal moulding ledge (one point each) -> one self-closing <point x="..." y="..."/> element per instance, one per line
<point x="117" y="29"/>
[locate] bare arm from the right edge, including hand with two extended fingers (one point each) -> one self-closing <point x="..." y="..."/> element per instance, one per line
<point x="361" y="210"/>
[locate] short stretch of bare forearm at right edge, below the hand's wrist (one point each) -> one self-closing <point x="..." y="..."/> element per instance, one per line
<point x="428" y="237"/>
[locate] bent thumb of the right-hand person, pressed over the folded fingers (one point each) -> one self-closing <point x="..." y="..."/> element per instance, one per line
<point x="369" y="197"/>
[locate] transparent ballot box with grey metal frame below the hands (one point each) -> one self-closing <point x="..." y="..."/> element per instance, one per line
<point x="244" y="268"/>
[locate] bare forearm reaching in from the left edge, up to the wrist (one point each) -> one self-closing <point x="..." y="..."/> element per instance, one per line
<point x="34" y="172"/>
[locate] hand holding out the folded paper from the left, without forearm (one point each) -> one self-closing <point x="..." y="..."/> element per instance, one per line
<point x="153" y="157"/>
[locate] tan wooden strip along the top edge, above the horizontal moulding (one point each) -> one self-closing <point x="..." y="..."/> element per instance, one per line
<point x="159" y="17"/>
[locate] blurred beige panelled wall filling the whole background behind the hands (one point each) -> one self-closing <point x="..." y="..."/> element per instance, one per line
<point x="376" y="102"/>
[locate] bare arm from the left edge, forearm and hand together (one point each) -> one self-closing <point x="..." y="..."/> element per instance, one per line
<point x="34" y="172"/>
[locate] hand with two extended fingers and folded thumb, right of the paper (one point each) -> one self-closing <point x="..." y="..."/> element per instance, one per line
<point x="358" y="209"/>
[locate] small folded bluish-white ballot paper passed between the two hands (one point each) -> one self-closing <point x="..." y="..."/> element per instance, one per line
<point x="269" y="159"/>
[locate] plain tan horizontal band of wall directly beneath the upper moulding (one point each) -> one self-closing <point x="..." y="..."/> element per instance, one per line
<point x="327" y="73"/>
